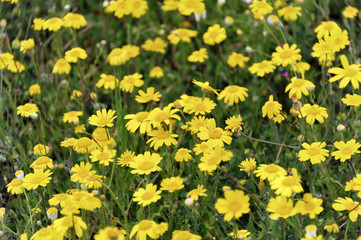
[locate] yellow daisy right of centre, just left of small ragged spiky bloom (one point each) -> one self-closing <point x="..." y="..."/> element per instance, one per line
<point x="214" y="135"/>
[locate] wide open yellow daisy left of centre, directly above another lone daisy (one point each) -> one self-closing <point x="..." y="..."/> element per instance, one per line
<point x="146" y="163"/>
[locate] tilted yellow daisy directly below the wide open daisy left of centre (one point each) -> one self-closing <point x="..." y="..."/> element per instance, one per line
<point x="147" y="196"/>
